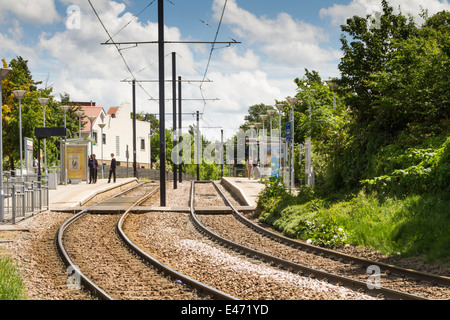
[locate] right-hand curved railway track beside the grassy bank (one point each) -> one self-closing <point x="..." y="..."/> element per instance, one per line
<point x="389" y="282"/>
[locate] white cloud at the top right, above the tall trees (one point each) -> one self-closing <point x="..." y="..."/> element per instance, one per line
<point x="339" y="13"/>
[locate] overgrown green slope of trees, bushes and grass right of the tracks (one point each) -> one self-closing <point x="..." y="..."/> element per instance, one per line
<point x="381" y="149"/>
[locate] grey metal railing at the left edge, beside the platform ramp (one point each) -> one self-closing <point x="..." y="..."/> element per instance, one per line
<point x="23" y="197"/>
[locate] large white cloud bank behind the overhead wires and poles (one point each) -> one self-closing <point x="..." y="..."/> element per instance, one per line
<point x="242" y="75"/>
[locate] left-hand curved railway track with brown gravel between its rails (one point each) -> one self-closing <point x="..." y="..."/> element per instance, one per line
<point x="104" y="261"/>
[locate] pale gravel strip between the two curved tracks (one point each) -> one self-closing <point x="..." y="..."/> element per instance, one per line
<point x="171" y="237"/>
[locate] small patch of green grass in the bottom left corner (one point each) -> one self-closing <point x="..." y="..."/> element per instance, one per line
<point x="11" y="284"/>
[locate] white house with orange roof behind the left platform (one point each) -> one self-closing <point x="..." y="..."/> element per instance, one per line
<point x="117" y="135"/>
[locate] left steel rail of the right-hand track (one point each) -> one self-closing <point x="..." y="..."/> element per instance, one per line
<point x="295" y="267"/>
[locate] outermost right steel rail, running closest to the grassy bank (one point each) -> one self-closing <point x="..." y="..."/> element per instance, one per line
<point x="335" y="255"/>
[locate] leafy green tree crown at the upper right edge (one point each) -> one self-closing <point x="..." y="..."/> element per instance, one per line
<point x="414" y="87"/>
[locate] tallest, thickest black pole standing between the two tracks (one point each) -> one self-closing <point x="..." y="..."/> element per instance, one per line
<point x="162" y="116"/>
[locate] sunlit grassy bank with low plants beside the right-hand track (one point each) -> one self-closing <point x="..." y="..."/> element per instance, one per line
<point x="414" y="225"/>
